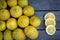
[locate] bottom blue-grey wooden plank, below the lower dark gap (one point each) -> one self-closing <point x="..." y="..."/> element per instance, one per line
<point x="44" y="36"/>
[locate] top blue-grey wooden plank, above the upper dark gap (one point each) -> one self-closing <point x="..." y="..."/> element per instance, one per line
<point x="45" y="4"/>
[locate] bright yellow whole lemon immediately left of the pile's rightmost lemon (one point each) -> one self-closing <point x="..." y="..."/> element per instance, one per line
<point x="23" y="21"/>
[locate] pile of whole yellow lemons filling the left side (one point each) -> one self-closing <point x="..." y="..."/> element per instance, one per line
<point x="19" y="15"/>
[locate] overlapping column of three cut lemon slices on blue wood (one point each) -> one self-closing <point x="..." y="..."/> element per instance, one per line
<point x="50" y="23"/>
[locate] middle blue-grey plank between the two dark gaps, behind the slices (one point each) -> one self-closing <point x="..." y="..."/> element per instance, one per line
<point x="41" y="15"/>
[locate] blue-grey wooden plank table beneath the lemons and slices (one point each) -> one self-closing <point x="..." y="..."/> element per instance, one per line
<point x="41" y="8"/>
